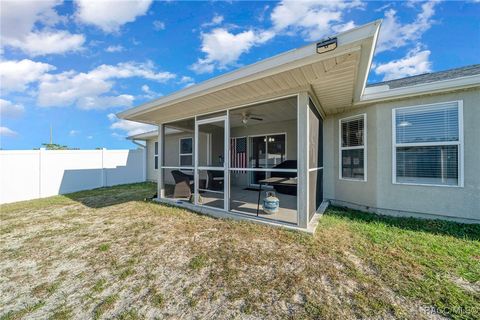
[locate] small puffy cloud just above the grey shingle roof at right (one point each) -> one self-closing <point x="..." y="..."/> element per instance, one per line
<point x="415" y="62"/>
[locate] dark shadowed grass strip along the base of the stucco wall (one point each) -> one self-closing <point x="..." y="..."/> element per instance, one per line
<point x="436" y="226"/>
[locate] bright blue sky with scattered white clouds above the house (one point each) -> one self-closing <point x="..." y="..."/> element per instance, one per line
<point x="73" y="65"/>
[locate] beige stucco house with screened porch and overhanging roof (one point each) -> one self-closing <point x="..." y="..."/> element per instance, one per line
<point x="304" y="130"/>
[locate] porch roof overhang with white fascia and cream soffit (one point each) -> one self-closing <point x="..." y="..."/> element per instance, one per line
<point x="337" y="79"/>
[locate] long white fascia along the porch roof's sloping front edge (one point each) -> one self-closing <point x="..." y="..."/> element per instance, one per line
<point x="273" y="65"/>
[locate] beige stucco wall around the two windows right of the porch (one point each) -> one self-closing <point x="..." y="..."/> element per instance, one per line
<point x="378" y="193"/>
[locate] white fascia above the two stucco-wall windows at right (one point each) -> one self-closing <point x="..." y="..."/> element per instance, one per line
<point x="374" y="94"/>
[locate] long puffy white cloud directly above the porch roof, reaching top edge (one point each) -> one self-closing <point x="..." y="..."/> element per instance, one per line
<point x="311" y="20"/>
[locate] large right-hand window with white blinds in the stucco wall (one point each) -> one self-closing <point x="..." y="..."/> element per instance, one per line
<point x="428" y="144"/>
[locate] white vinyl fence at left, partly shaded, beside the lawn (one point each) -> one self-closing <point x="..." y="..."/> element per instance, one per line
<point x="33" y="174"/>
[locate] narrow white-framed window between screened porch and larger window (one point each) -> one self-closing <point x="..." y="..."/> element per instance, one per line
<point x="352" y="148"/>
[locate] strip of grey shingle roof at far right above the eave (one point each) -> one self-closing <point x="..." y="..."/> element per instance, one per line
<point x="430" y="77"/>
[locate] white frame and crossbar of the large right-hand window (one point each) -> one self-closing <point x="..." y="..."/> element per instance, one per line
<point x="458" y="143"/>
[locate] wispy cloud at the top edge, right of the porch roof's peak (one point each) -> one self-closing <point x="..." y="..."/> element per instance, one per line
<point x="394" y="34"/>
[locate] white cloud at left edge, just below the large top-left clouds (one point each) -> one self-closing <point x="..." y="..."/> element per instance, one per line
<point x="16" y="75"/>
